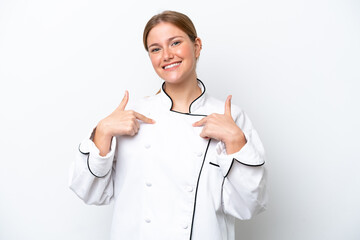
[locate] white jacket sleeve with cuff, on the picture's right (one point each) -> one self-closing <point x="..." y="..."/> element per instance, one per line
<point x="244" y="188"/>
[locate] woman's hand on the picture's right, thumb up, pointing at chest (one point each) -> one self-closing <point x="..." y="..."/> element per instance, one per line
<point x="223" y="128"/>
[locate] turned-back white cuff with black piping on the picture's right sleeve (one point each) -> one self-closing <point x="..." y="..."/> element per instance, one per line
<point x="247" y="155"/>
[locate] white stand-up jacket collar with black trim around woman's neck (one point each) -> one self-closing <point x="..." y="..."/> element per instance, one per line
<point x="196" y="104"/>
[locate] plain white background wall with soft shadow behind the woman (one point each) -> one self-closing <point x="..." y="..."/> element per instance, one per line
<point x="292" y="65"/>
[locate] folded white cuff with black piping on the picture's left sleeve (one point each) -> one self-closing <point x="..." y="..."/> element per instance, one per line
<point x="99" y="166"/>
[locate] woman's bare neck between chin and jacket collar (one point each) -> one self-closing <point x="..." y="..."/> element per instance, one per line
<point x="183" y="94"/>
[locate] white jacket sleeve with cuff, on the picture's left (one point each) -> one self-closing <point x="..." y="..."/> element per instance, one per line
<point x="91" y="175"/>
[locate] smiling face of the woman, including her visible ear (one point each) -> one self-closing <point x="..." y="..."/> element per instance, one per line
<point x="172" y="53"/>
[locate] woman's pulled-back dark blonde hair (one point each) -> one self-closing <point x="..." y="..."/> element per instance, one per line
<point x="180" y="20"/>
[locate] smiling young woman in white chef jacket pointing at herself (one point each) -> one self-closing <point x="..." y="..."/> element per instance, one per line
<point x="179" y="164"/>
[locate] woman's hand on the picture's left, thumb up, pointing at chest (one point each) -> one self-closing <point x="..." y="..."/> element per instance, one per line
<point x="120" y="122"/>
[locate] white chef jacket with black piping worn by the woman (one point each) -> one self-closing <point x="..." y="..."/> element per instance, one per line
<point x="167" y="182"/>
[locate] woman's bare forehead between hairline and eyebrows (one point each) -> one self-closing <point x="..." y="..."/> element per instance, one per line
<point x="163" y="31"/>
